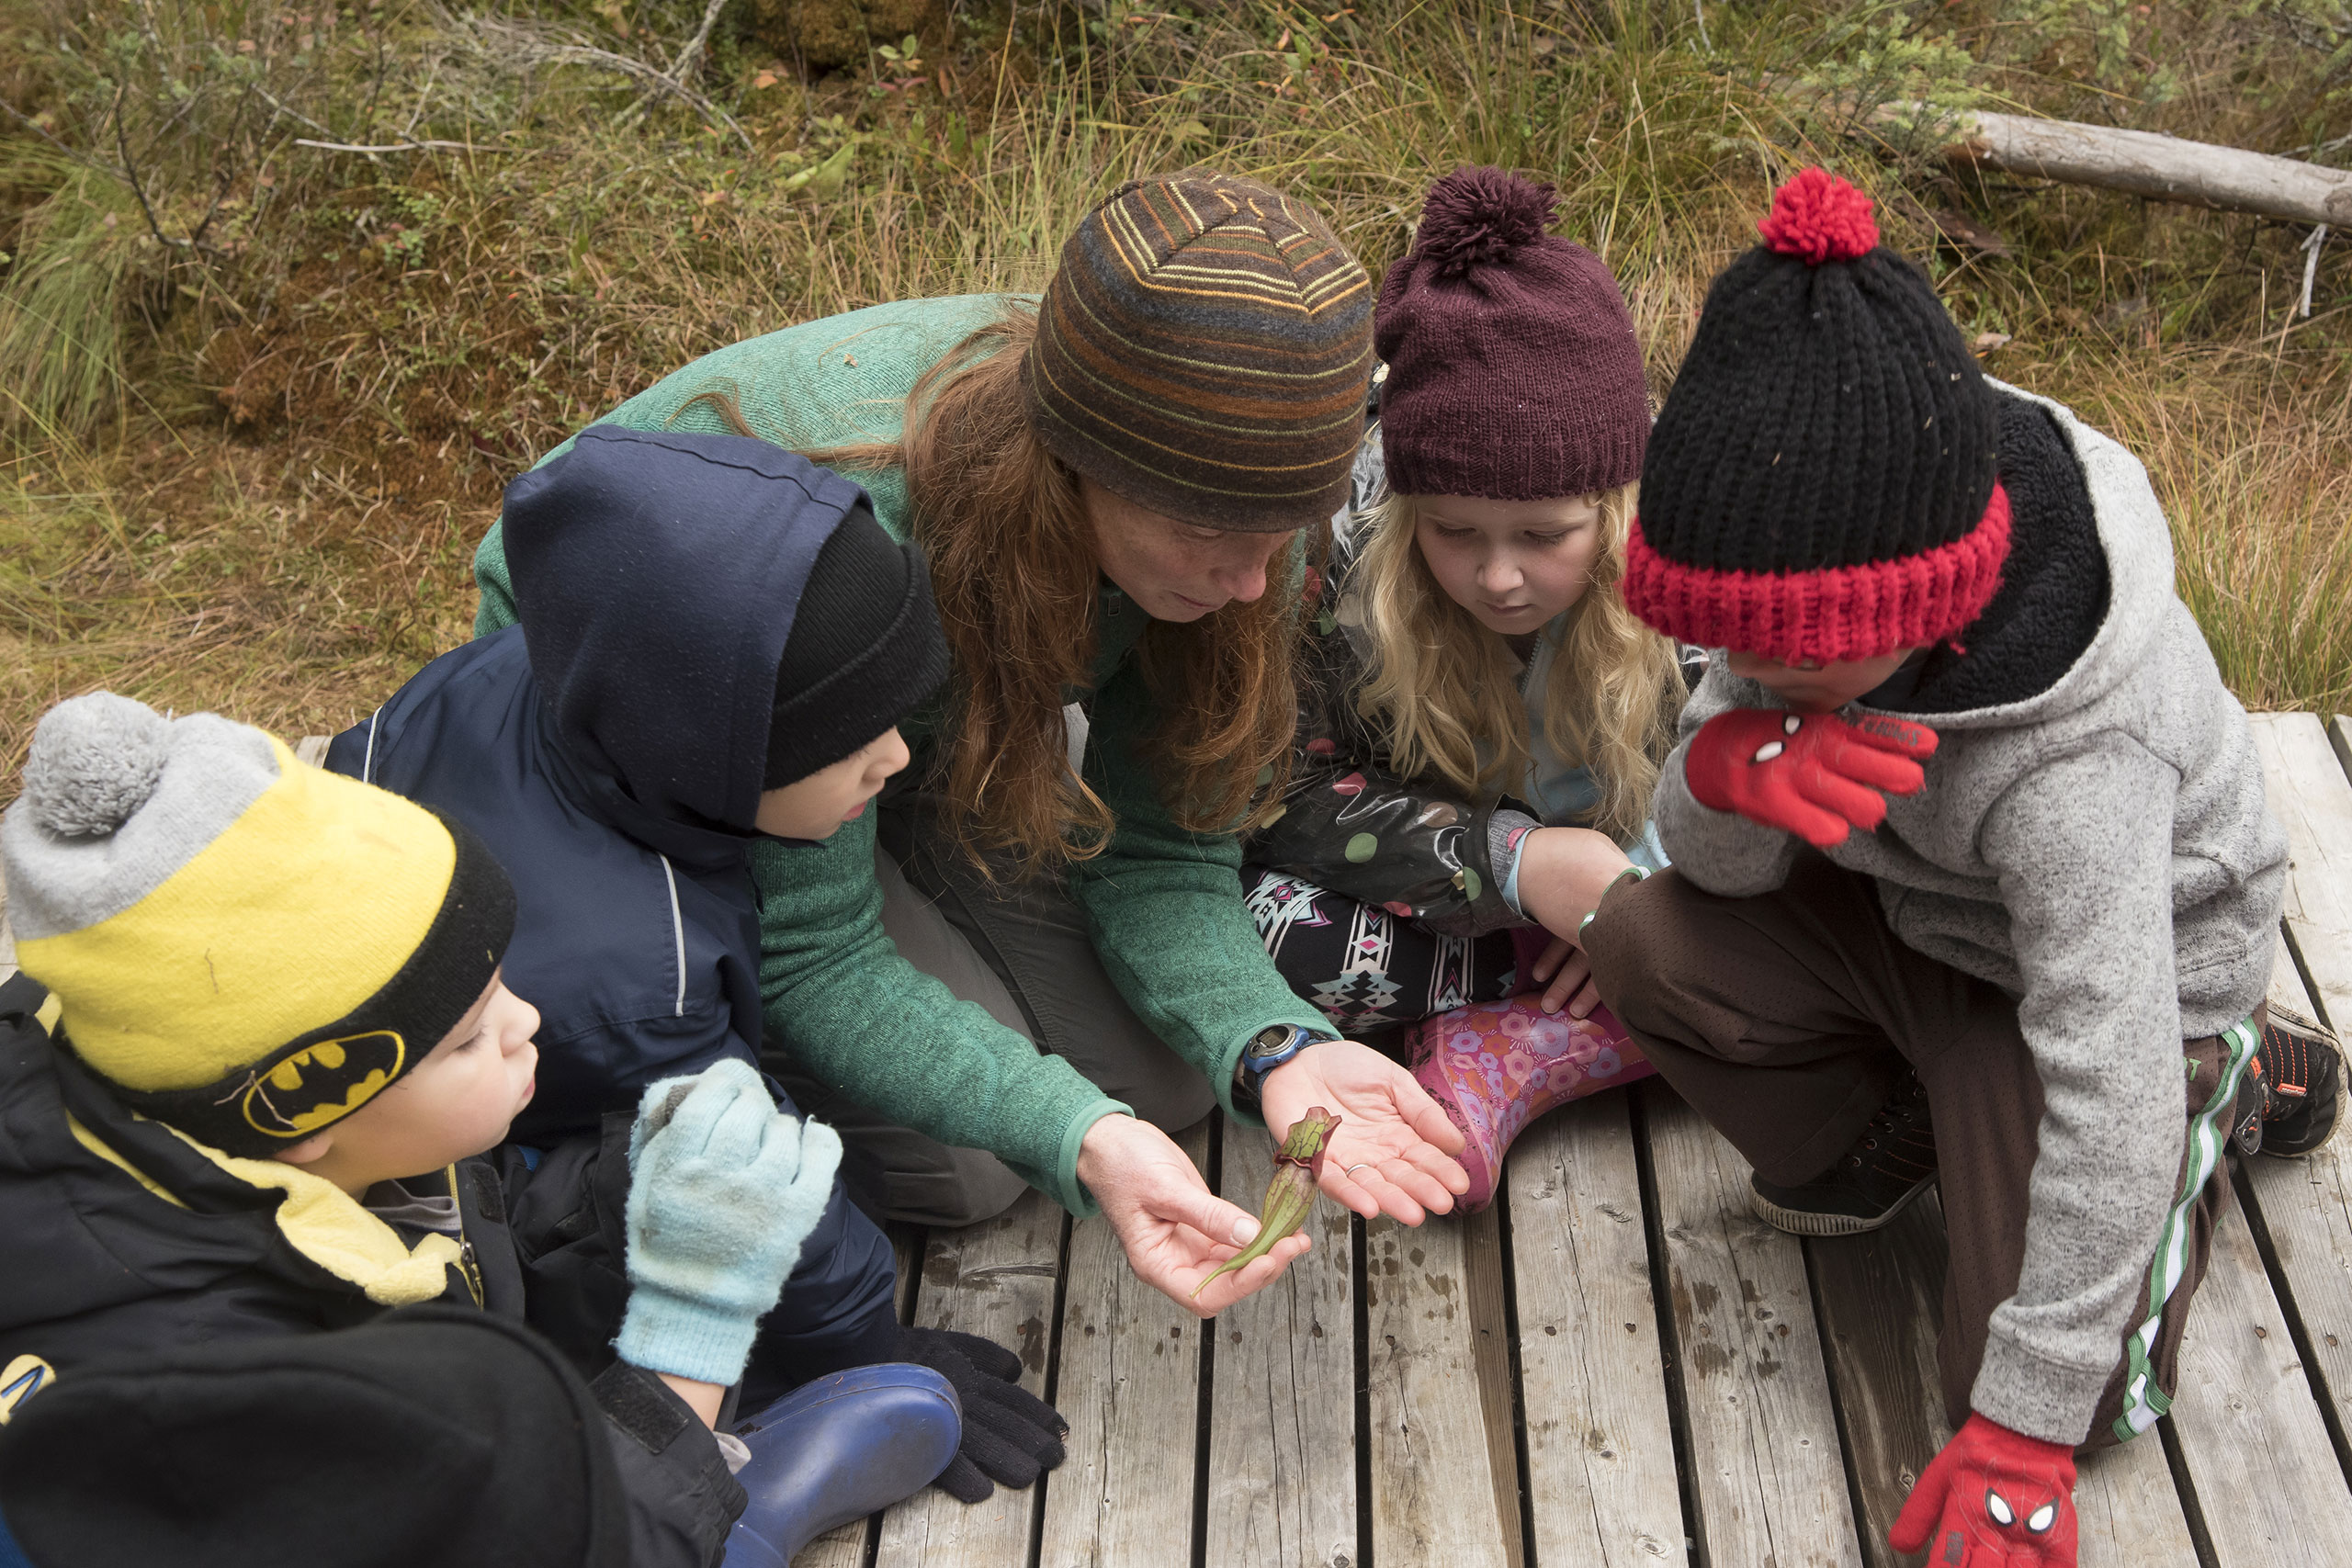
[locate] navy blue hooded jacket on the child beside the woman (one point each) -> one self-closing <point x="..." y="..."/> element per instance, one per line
<point x="610" y="751"/>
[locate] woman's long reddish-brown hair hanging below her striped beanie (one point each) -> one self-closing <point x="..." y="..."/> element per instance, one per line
<point x="1017" y="584"/>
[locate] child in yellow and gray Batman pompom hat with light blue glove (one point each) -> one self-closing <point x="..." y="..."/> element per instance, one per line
<point x="274" y="1047"/>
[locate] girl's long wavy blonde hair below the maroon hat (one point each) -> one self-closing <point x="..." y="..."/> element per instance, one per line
<point x="1443" y="688"/>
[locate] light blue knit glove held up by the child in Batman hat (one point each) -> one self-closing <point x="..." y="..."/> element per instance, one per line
<point x="723" y="1191"/>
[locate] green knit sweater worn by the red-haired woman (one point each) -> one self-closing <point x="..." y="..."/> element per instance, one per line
<point x="1165" y="904"/>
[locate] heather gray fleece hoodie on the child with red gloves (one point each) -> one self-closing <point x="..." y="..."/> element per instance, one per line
<point x="2102" y="852"/>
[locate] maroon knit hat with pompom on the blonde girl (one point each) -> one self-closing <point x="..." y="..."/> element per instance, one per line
<point x="1511" y="359"/>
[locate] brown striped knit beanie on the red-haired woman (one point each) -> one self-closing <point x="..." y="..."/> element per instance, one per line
<point x="1205" y="354"/>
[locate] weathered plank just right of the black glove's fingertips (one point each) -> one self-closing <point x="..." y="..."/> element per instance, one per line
<point x="1130" y="1391"/>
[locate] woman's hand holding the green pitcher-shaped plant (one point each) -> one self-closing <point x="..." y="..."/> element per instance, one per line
<point x="1168" y="1221"/>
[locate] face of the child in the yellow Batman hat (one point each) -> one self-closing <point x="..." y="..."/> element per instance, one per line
<point x="455" y="1104"/>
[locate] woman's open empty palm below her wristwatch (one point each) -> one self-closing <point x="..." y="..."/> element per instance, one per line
<point x="1391" y="1132"/>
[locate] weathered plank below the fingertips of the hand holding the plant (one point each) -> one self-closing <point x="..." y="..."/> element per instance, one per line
<point x="1283" y="1395"/>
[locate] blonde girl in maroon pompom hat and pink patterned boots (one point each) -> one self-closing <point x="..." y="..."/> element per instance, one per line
<point x="1481" y="716"/>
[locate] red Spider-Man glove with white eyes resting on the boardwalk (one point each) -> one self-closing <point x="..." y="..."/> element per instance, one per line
<point x="1993" y="1499"/>
